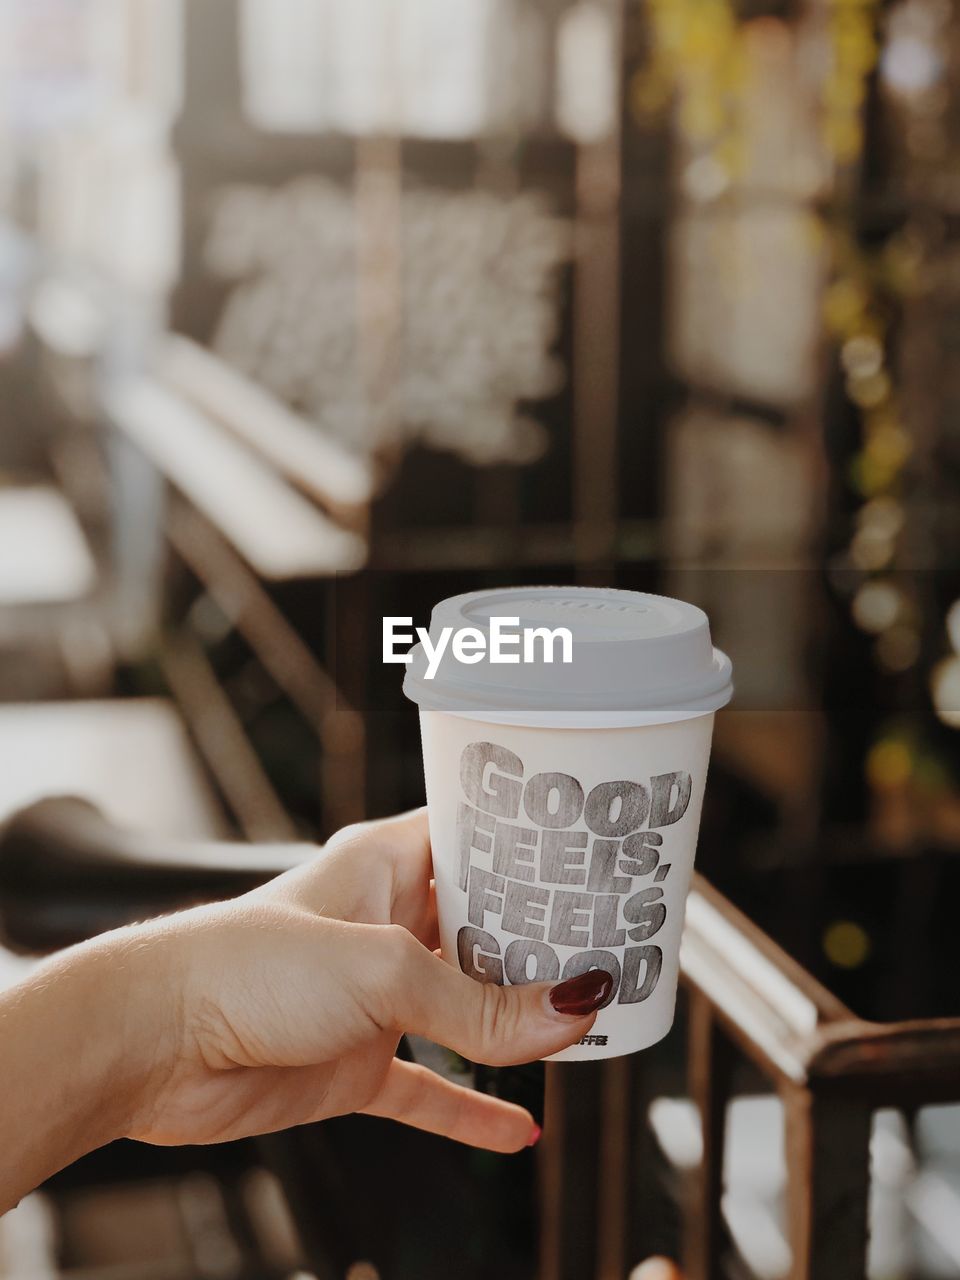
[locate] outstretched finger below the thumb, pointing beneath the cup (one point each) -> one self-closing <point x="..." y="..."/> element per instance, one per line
<point x="419" y="1098"/>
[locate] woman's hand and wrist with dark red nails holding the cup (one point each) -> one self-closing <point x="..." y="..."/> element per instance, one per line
<point x="280" y="1008"/>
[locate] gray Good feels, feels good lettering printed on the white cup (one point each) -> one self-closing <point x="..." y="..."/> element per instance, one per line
<point x="557" y="867"/>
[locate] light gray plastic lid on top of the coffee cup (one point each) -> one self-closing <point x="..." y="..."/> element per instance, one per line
<point x="637" y="660"/>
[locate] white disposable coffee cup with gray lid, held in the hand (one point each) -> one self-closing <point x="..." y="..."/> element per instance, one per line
<point x="565" y="797"/>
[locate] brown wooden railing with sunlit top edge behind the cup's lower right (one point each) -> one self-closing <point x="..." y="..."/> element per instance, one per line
<point x="746" y="1000"/>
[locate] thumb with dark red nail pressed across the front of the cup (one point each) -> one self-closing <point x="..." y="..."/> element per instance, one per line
<point x="492" y="1025"/>
